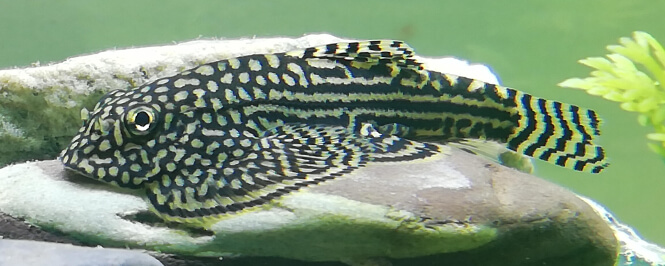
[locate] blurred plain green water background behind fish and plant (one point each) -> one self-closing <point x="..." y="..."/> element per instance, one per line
<point x="530" y="44"/>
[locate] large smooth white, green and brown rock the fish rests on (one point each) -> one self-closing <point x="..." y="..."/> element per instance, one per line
<point x="456" y="209"/>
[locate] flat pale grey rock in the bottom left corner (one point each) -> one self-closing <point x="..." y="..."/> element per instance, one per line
<point x="27" y="253"/>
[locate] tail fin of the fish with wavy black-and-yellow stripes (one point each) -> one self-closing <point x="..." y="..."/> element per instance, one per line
<point x="558" y="133"/>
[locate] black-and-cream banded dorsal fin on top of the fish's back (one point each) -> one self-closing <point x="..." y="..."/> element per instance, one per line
<point x="377" y="51"/>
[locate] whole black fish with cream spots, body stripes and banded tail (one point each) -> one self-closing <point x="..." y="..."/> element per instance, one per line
<point x="236" y="134"/>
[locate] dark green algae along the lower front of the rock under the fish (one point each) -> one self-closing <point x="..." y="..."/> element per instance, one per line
<point x="336" y="237"/>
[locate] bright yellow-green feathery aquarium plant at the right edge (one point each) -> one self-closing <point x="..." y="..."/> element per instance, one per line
<point x="634" y="75"/>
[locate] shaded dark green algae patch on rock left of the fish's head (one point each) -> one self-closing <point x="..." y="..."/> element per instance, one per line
<point x="38" y="124"/>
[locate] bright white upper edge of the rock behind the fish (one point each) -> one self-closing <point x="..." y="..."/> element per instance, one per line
<point x="123" y="68"/>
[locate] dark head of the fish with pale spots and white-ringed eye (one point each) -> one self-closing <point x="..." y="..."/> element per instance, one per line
<point x="113" y="143"/>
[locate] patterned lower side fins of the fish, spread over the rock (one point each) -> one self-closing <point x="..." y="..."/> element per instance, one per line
<point x="283" y="160"/>
